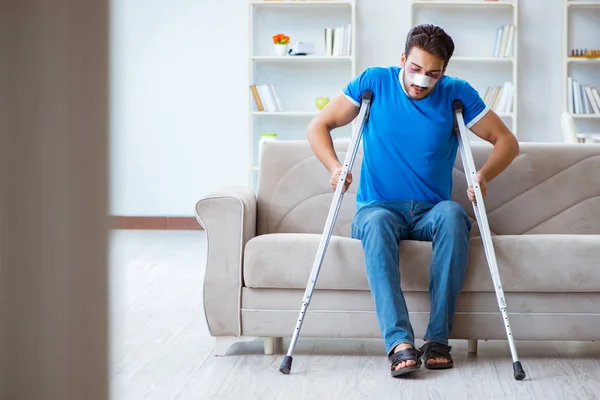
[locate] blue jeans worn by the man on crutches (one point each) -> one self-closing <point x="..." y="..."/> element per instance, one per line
<point x="380" y="227"/>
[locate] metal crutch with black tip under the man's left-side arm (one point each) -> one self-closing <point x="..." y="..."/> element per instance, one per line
<point x="363" y="116"/>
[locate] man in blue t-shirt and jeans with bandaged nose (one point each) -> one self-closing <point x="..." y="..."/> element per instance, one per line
<point x="406" y="182"/>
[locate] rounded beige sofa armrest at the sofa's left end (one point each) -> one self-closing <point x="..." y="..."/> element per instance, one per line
<point x="228" y="217"/>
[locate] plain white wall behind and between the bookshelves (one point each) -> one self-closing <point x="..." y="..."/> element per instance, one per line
<point x="180" y="91"/>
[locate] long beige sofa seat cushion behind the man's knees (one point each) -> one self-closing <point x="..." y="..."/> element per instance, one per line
<point x="527" y="263"/>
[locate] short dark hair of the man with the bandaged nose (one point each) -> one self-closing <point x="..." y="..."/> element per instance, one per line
<point x="432" y="39"/>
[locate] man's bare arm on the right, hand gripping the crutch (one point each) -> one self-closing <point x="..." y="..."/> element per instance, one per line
<point x="506" y="148"/>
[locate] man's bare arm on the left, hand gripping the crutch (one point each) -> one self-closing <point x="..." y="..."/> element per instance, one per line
<point x="338" y="112"/>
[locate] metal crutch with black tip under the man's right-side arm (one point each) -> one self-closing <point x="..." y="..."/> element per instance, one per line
<point x="484" y="229"/>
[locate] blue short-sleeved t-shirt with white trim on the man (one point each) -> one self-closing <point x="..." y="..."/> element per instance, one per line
<point x="409" y="145"/>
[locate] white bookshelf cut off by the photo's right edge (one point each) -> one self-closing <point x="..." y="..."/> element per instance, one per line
<point x="580" y="19"/>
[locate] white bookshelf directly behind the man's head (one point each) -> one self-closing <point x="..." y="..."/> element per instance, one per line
<point x="474" y="27"/>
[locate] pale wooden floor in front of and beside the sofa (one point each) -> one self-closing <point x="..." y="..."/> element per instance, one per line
<point x="162" y="349"/>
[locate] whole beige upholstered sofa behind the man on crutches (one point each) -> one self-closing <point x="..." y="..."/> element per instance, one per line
<point x="544" y="213"/>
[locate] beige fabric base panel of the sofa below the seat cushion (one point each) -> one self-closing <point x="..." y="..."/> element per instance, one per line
<point x="350" y="314"/>
